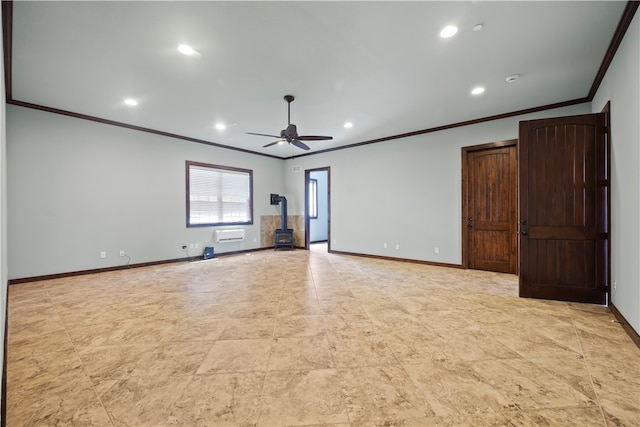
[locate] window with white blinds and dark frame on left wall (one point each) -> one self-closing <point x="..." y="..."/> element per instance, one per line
<point x="218" y="195"/>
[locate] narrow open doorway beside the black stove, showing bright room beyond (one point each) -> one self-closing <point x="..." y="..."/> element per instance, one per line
<point x="317" y="207"/>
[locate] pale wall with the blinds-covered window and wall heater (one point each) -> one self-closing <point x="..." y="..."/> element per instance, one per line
<point x="77" y="188"/>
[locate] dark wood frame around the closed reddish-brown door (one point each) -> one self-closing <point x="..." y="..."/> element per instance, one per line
<point x="465" y="202"/>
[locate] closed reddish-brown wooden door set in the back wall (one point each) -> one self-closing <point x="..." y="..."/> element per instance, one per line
<point x="491" y="207"/>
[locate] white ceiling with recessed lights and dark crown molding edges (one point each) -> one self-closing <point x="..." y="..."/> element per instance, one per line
<point x="380" y="65"/>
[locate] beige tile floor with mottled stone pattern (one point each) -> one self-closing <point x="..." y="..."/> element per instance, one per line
<point x="310" y="338"/>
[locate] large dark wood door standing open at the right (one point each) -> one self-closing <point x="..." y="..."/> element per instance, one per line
<point x="563" y="208"/>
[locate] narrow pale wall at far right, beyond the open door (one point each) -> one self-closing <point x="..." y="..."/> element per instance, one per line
<point x="621" y="86"/>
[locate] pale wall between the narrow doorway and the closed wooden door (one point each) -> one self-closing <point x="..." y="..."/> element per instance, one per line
<point x="404" y="192"/>
